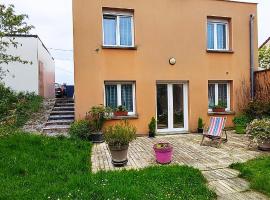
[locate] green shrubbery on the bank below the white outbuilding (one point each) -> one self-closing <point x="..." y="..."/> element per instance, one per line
<point x="16" y="108"/>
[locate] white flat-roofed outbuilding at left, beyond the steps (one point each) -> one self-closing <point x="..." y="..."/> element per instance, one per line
<point x="27" y="77"/>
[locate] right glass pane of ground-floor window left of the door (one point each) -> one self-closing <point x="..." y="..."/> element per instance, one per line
<point x="127" y="96"/>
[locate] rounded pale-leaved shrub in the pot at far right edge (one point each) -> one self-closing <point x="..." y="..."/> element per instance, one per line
<point x="259" y="129"/>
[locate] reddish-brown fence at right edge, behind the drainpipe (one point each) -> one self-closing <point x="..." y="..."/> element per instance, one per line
<point x="262" y="84"/>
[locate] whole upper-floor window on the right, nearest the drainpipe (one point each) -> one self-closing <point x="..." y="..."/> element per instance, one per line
<point x="217" y="34"/>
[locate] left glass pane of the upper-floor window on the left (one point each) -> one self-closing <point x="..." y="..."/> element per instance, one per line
<point x="109" y="28"/>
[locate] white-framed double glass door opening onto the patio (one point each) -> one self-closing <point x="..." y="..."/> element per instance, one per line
<point x="172" y="104"/>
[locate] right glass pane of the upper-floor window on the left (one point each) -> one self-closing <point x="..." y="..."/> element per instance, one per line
<point x="125" y="31"/>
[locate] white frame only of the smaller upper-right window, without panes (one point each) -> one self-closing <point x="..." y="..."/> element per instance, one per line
<point x="216" y="22"/>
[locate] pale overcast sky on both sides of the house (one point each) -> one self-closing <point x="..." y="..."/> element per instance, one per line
<point x="53" y="23"/>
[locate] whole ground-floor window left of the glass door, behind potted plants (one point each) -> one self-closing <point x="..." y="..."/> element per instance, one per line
<point x="120" y="93"/>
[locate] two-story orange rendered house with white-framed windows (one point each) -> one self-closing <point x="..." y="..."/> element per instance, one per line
<point x="171" y="59"/>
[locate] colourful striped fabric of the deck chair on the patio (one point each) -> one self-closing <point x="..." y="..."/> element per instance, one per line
<point x="217" y="124"/>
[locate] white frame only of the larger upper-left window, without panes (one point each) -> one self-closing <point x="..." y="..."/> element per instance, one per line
<point x="118" y="15"/>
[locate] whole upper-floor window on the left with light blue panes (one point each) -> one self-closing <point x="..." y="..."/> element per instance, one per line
<point x="118" y="29"/>
